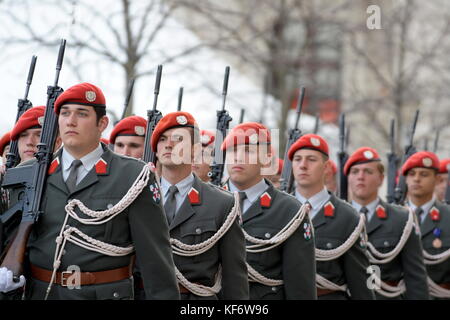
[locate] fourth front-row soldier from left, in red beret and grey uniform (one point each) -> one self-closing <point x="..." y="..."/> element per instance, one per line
<point x="342" y="259"/>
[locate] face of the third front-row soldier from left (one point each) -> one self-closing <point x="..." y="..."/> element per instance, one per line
<point x="246" y="162"/>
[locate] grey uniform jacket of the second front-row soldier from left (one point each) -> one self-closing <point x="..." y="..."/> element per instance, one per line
<point x="199" y="218"/>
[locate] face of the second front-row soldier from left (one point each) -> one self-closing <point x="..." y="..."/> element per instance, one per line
<point x="175" y="147"/>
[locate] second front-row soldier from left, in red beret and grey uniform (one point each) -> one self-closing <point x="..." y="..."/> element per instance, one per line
<point x="197" y="213"/>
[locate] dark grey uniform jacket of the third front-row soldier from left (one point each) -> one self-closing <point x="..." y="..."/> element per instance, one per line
<point x="293" y="261"/>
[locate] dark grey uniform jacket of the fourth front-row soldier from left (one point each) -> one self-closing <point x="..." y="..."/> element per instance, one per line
<point x="333" y="225"/>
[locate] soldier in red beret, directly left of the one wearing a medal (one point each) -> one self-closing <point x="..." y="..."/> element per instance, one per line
<point x="401" y="261"/>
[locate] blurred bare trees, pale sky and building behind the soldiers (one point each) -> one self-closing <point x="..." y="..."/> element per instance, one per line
<point x="372" y="60"/>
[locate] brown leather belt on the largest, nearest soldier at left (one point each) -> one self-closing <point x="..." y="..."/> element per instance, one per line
<point x="86" y="278"/>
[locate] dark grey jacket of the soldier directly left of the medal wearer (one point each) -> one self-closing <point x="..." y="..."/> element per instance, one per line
<point x="384" y="231"/>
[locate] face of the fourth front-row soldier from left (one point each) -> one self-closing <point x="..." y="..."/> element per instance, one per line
<point x="308" y="167"/>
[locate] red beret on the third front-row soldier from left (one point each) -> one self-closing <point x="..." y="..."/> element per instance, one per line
<point x="247" y="133"/>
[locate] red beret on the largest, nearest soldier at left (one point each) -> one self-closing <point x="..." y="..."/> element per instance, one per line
<point x="84" y="94"/>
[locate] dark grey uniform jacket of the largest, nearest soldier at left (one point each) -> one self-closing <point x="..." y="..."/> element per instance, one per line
<point x="142" y="224"/>
